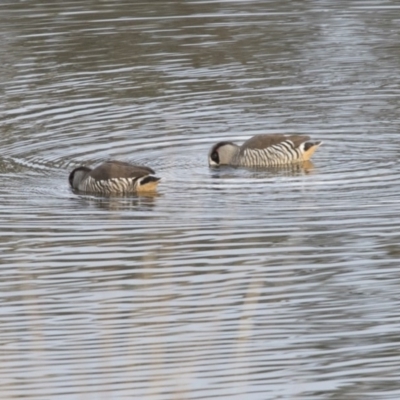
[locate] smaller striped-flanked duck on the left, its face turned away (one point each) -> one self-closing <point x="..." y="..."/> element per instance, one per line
<point x="113" y="177"/>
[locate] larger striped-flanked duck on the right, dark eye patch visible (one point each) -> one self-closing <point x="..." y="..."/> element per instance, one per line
<point x="263" y="151"/>
